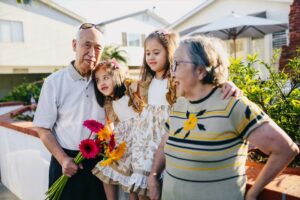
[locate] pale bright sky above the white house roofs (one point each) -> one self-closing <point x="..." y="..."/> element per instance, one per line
<point x="97" y="11"/>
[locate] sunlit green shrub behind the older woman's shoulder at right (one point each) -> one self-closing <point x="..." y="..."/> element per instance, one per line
<point x="278" y="96"/>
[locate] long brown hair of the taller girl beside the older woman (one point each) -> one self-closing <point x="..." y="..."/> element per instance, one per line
<point x="169" y="40"/>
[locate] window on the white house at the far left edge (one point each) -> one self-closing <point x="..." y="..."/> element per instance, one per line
<point x="11" y="31"/>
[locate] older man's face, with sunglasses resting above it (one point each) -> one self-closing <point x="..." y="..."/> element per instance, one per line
<point x="88" y="48"/>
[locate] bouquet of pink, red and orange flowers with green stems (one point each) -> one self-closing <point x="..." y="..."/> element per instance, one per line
<point x="101" y="141"/>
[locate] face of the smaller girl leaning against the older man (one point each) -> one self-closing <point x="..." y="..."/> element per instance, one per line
<point x="104" y="81"/>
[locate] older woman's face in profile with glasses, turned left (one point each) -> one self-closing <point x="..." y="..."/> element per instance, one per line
<point x="185" y="75"/>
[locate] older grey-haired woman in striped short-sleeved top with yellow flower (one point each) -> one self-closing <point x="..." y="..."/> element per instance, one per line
<point x="205" y="150"/>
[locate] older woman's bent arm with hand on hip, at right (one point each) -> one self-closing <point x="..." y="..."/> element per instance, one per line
<point x="272" y="140"/>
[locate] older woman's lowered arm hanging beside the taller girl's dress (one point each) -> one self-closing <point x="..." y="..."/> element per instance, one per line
<point x="157" y="167"/>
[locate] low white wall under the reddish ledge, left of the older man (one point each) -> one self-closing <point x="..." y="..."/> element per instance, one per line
<point x="24" y="164"/>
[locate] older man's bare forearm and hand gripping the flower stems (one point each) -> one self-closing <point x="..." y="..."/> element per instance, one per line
<point x="69" y="168"/>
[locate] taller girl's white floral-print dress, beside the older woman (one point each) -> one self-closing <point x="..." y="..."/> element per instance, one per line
<point x="150" y="130"/>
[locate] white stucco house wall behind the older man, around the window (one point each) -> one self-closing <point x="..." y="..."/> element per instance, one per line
<point x="47" y="38"/>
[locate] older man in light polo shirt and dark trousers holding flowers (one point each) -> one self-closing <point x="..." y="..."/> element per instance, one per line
<point x="67" y="99"/>
